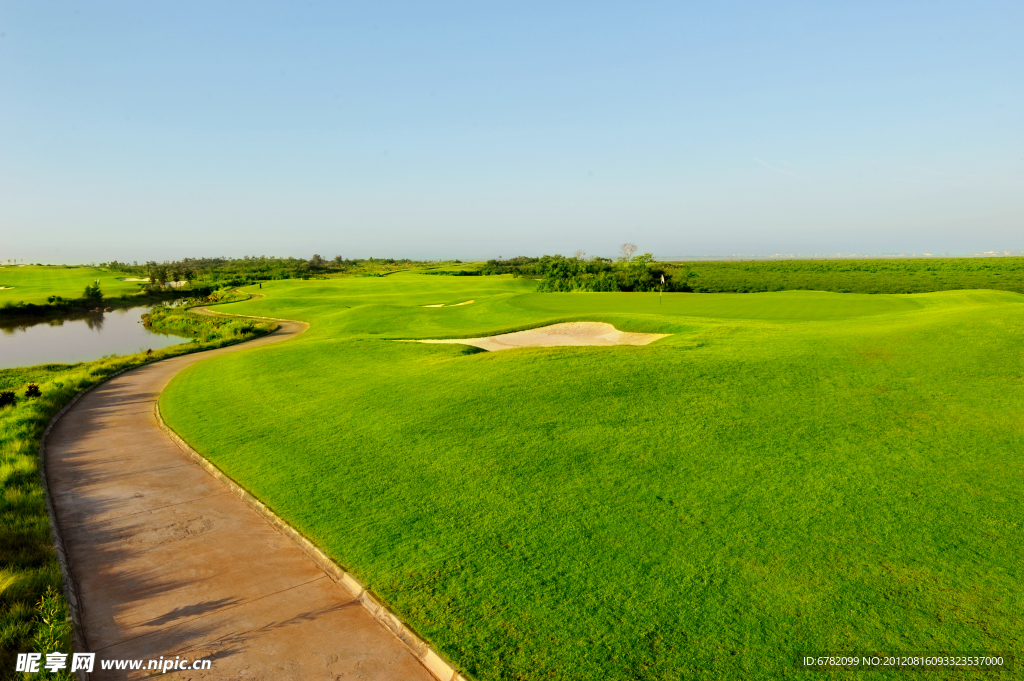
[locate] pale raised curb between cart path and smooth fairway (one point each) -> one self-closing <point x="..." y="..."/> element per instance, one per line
<point x="439" y="667"/>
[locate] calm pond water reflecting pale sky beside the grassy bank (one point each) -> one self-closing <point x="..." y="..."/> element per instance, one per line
<point x="84" y="337"/>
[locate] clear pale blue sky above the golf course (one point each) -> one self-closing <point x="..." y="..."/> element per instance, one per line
<point x="154" y="131"/>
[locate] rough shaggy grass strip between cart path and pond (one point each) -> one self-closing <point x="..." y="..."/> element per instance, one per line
<point x="33" y="613"/>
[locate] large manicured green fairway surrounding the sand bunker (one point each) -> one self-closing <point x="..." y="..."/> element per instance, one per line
<point x="789" y="474"/>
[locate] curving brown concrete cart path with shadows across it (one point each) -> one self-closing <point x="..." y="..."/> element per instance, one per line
<point x="168" y="563"/>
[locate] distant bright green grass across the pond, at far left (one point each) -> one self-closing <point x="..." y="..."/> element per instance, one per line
<point x="33" y="284"/>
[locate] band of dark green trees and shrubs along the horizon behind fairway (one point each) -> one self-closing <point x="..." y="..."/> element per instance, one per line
<point x="630" y="272"/>
